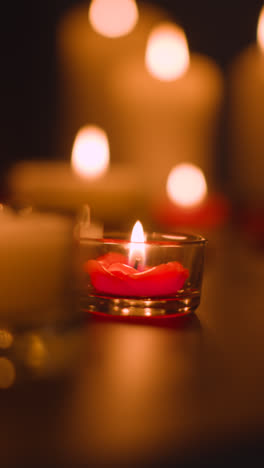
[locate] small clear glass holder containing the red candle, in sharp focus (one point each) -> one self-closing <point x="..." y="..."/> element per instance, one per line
<point x="162" y="276"/>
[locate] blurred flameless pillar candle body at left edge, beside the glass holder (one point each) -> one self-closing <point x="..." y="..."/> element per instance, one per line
<point x="36" y="269"/>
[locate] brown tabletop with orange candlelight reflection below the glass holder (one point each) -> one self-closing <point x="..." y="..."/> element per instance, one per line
<point x="137" y="393"/>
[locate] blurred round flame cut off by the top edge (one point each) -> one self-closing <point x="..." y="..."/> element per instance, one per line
<point x="113" y="18"/>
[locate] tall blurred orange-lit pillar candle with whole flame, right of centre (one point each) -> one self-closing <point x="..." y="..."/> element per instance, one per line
<point x="166" y="106"/>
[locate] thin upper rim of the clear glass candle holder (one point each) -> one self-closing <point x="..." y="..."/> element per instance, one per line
<point x="155" y="238"/>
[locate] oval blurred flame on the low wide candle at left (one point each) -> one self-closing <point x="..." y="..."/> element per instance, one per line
<point x="90" y="153"/>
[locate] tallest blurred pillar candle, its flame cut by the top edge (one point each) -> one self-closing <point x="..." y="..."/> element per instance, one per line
<point x="90" y="41"/>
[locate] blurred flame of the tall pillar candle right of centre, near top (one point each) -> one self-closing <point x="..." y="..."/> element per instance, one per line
<point x="167" y="55"/>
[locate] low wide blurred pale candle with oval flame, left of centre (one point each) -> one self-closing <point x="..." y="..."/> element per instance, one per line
<point x="89" y="179"/>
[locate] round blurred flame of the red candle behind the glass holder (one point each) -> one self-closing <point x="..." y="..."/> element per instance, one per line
<point x="186" y="185"/>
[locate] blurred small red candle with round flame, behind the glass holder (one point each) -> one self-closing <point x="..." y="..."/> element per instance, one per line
<point x="188" y="204"/>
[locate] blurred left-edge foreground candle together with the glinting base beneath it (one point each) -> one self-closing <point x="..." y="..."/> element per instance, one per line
<point x="40" y="320"/>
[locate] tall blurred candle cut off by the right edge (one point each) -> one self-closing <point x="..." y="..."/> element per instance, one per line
<point x="247" y="120"/>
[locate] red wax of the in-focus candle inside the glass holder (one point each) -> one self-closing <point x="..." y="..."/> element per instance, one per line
<point x="111" y="274"/>
